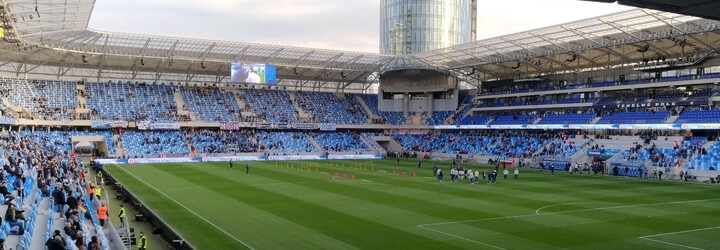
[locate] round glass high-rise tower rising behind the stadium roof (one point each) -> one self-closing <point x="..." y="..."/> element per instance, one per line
<point x="414" y="26"/>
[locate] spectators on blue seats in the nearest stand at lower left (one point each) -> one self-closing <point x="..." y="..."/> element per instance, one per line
<point x="39" y="169"/>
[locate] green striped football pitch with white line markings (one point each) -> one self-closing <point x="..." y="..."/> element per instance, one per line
<point x="303" y="205"/>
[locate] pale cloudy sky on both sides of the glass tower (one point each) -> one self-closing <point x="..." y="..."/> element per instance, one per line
<point x="328" y="24"/>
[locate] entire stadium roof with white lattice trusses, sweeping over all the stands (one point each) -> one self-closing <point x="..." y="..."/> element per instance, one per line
<point x="55" y="33"/>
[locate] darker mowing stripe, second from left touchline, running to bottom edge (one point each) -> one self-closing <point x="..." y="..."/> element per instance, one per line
<point x="350" y="229"/>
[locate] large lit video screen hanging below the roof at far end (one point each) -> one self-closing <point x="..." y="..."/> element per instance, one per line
<point x="253" y="73"/>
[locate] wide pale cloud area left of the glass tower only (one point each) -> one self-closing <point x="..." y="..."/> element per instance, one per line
<point x="349" y="25"/>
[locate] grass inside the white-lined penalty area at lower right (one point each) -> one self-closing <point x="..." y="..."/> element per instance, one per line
<point x="576" y="229"/>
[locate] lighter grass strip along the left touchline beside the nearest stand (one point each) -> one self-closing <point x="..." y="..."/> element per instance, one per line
<point x="252" y="225"/>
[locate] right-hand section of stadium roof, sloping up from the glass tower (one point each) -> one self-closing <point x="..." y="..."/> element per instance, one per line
<point x="591" y="43"/>
